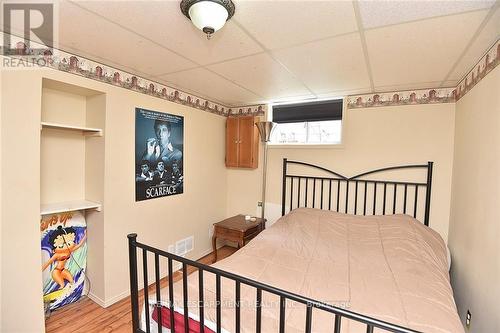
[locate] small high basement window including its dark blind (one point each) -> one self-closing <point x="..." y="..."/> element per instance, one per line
<point x="309" y="123"/>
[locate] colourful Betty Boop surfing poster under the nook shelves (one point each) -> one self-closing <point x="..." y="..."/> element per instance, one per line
<point x="64" y="257"/>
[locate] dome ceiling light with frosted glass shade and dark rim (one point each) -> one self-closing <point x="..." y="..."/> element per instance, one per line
<point x="208" y="15"/>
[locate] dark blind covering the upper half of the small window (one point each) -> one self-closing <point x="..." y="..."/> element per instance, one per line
<point x="309" y="111"/>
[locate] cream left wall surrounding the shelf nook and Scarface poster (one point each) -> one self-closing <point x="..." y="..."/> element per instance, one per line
<point x="158" y="222"/>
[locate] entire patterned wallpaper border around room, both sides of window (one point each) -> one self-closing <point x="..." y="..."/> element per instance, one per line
<point x="84" y="67"/>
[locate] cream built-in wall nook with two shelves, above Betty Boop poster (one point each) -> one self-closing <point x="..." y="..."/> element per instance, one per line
<point x="72" y="148"/>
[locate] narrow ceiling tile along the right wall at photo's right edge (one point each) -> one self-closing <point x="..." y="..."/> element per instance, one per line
<point x="487" y="37"/>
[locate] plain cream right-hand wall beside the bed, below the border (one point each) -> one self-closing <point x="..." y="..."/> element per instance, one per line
<point x="475" y="215"/>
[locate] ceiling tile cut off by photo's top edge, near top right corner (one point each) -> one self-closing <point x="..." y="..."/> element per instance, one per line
<point x="381" y="13"/>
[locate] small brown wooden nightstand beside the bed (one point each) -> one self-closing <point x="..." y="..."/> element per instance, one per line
<point x="236" y="229"/>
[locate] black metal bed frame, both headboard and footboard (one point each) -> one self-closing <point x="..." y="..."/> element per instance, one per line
<point x="339" y="313"/>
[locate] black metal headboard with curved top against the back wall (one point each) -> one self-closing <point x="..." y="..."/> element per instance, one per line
<point x="350" y="194"/>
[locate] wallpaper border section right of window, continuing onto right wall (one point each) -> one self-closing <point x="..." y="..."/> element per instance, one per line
<point x="431" y="96"/>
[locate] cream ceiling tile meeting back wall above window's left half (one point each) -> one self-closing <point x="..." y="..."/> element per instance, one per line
<point x="261" y="74"/>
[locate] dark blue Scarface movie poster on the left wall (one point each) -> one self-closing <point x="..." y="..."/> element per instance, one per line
<point x="159" y="148"/>
